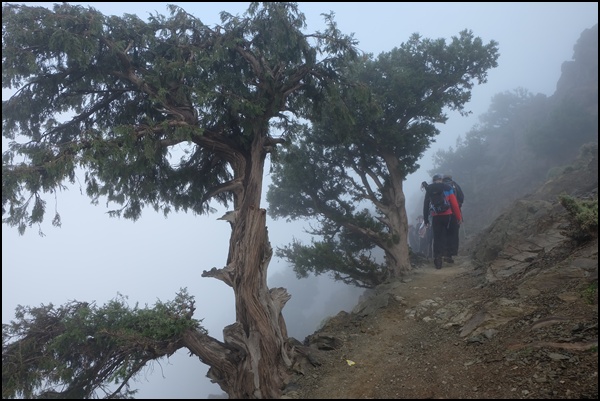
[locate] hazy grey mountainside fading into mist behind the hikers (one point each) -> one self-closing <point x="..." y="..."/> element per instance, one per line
<point x="524" y="138"/>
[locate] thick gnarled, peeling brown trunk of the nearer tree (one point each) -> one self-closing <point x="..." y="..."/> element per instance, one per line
<point x="256" y="360"/>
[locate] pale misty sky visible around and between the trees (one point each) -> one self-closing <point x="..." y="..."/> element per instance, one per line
<point x="95" y="258"/>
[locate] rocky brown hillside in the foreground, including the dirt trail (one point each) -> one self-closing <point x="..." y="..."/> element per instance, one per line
<point x="515" y="317"/>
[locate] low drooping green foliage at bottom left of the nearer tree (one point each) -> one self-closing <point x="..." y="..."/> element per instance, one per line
<point x="80" y="350"/>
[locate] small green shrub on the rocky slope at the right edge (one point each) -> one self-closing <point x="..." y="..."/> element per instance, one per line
<point x="584" y="216"/>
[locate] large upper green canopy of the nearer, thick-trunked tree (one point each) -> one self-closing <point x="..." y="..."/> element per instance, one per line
<point x="157" y="114"/>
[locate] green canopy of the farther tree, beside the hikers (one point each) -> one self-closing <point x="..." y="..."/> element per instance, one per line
<point x="347" y="169"/>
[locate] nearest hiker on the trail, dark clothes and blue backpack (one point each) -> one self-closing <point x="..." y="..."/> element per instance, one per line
<point x="440" y="200"/>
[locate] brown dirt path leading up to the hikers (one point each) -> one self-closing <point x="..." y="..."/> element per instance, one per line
<point x="421" y="359"/>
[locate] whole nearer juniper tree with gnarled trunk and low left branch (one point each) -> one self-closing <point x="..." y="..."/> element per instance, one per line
<point x="108" y="98"/>
